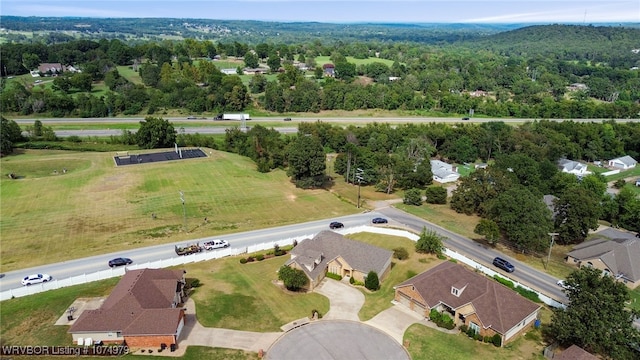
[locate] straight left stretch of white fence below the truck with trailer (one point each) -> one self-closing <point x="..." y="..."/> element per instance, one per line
<point x="162" y="263"/>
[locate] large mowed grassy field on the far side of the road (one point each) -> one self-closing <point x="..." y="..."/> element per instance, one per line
<point x="49" y="215"/>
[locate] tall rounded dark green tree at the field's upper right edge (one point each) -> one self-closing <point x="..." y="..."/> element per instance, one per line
<point x="306" y="161"/>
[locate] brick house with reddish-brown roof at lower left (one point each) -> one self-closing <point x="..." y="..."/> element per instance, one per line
<point x="142" y="310"/>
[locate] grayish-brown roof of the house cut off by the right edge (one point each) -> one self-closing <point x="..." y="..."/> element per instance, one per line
<point x="621" y="256"/>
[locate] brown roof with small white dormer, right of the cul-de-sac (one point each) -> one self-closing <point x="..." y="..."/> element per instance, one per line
<point x="496" y="305"/>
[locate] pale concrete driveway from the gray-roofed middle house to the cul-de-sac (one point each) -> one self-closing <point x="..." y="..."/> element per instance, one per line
<point x="344" y="300"/>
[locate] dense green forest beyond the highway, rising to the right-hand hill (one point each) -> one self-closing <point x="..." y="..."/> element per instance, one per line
<point x="553" y="71"/>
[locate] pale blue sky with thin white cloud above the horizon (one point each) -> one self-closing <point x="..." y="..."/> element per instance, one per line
<point x="350" y="11"/>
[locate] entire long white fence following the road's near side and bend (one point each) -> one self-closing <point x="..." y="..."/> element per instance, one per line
<point x="217" y="254"/>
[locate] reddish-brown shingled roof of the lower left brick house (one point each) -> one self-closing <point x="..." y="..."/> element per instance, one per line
<point x="140" y="304"/>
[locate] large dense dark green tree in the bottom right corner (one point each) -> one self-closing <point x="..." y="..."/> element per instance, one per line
<point x="596" y="317"/>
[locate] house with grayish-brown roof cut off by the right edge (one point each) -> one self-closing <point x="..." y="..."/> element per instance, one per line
<point x="618" y="257"/>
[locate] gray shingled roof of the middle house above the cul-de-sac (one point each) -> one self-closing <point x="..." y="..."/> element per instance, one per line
<point x="362" y="257"/>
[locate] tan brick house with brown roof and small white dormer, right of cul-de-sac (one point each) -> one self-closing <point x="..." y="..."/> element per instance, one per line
<point x="470" y="298"/>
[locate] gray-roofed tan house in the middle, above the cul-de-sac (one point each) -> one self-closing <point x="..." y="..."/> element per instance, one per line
<point x="331" y="252"/>
